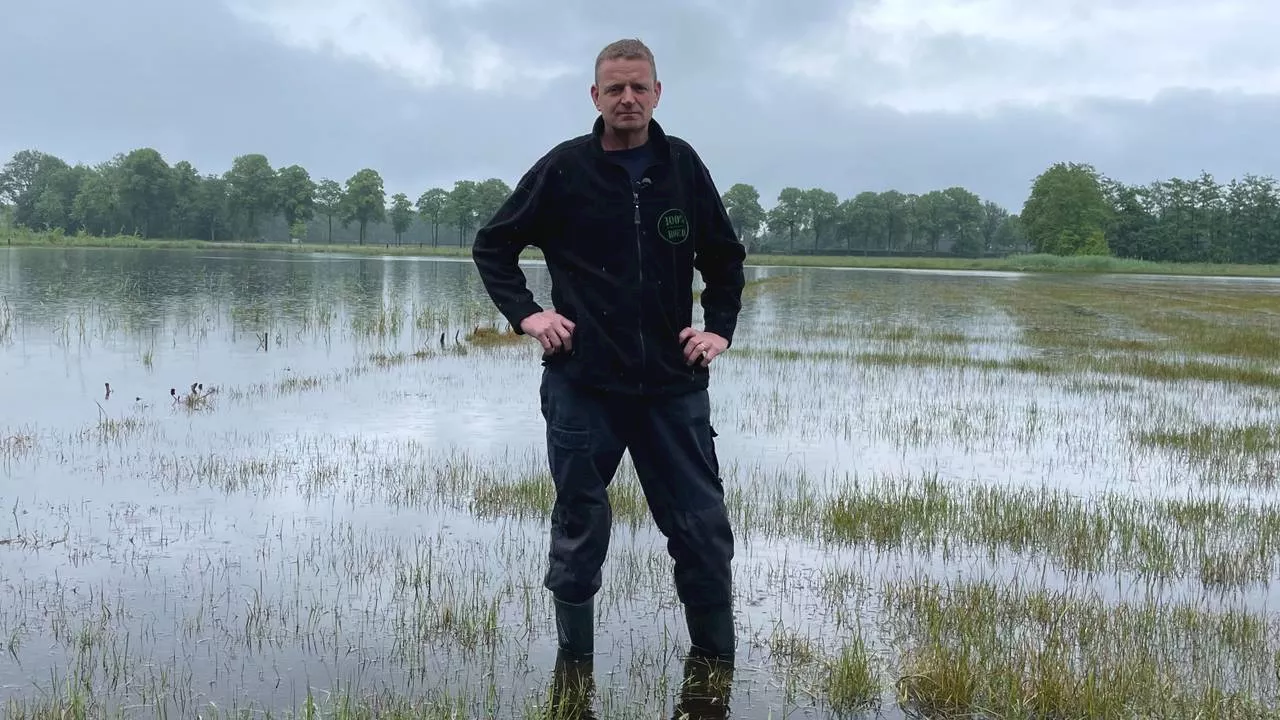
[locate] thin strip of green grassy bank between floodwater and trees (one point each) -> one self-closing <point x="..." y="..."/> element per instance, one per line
<point x="1017" y="263"/>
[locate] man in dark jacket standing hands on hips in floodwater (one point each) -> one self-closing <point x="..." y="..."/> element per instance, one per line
<point x="624" y="216"/>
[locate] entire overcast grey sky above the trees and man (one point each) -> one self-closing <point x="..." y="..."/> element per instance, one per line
<point x="847" y="95"/>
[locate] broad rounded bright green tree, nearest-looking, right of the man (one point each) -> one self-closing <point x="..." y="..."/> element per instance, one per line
<point x="1067" y="212"/>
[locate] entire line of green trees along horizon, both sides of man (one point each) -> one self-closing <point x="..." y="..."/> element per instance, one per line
<point x="1072" y="209"/>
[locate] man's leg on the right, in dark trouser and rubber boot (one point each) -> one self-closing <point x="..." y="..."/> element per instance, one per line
<point x="674" y="449"/>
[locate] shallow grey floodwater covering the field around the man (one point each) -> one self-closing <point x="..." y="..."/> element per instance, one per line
<point x="353" y="504"/>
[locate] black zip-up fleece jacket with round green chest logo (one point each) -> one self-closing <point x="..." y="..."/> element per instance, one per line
<point x="621" y="258"/>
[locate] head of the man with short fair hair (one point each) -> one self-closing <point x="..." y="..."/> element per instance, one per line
<point x="627" y="86"/>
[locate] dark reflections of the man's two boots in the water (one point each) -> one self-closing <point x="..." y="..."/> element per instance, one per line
<point x="705" y="691"/>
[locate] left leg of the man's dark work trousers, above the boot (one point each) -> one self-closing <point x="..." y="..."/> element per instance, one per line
<point x="584" y="453"/>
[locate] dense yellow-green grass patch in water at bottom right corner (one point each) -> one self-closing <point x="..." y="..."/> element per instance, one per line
<point x="1014" y="651"/>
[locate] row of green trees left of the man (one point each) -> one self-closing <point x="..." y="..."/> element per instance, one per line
<point x="141" y="194"/>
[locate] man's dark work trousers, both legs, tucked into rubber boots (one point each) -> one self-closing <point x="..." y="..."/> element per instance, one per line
<point x="673" y="448"/>
